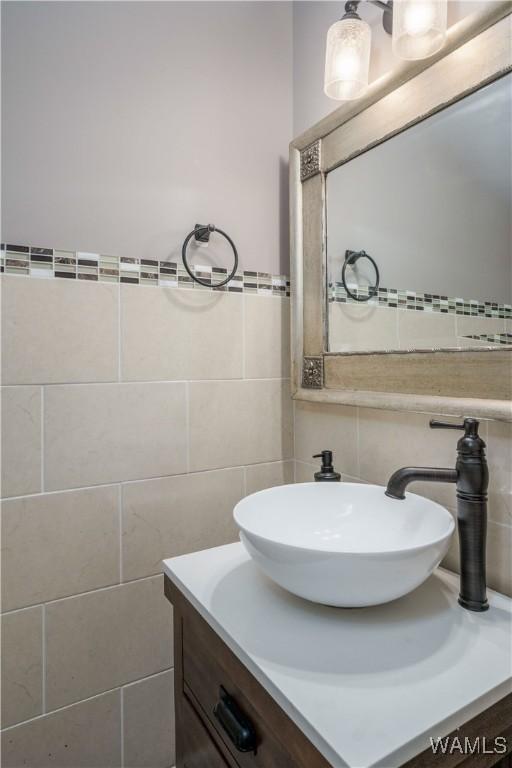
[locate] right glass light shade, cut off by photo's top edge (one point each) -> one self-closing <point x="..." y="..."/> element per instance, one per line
<point x="419" y="27"/>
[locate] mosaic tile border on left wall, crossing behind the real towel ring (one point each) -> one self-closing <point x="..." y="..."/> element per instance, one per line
<point x="80" y="265"/>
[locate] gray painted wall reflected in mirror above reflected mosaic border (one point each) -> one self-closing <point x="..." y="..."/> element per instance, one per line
<point x="432" y="205"/>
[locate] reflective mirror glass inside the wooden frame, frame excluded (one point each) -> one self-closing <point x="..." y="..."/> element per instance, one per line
<point x="419" y="234"/>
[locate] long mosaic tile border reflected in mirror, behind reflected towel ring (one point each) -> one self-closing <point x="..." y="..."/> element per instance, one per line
<point x="423" y="302"/>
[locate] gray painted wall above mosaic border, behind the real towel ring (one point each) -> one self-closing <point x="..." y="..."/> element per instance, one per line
<point x="124" y="124"/>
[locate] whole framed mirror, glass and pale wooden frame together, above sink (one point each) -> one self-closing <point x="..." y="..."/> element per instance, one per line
<point x="401" y="235"/>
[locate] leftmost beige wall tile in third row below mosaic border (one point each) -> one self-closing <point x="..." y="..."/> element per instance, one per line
<point x="59" y="544"/>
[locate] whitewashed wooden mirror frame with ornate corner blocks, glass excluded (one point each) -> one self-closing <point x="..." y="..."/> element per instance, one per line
<point x="477" y="51"/>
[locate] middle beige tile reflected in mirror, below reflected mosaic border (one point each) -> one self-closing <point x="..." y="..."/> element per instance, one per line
<point x="425" y="329"/>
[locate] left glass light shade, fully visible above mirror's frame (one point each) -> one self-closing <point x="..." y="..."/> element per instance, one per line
<point x="347" y="59"/>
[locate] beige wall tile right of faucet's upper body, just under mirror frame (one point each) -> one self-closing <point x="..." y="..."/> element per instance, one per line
<point x="499" y="457"/>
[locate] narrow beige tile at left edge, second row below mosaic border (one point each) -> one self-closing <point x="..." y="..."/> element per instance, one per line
<point x="21" y="440"/>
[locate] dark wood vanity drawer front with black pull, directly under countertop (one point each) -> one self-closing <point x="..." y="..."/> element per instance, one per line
<point x="211" y="671"/>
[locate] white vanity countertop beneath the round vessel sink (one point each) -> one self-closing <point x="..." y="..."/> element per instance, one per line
<point x="367" y="686"/>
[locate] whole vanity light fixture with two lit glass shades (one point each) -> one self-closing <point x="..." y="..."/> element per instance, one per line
<point x="418" y="28"/>
